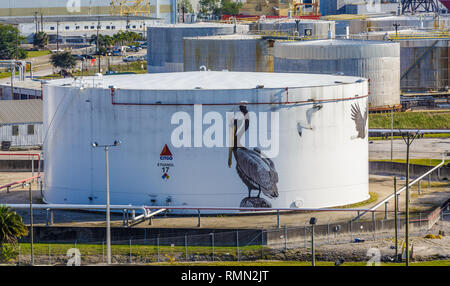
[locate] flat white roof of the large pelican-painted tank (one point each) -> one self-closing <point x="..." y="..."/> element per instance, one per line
<point x="211" y="80"/>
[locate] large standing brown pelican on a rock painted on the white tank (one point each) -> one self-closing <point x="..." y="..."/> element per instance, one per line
<point x="256" y="171"/>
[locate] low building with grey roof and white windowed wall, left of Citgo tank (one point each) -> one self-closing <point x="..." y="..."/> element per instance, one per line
<point x="21" y="123"/>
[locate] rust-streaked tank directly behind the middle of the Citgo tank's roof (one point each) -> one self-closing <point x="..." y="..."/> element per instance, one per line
<point x="230" y="52"/>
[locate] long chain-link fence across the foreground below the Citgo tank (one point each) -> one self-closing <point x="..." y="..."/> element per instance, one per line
<point x="232" y="245"/>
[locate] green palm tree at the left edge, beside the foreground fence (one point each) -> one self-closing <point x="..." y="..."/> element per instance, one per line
<point x="11" y="226"/>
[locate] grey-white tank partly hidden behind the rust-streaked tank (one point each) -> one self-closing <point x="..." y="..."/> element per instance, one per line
<point x="165" y="43"/>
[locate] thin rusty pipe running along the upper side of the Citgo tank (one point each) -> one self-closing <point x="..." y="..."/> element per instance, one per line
<point x="312" y="101"/>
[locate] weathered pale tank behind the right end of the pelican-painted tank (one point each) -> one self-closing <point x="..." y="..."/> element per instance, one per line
<point x="376" y="60"/>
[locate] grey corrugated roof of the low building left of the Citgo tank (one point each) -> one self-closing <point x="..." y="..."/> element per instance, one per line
<point x="20" y="111"/>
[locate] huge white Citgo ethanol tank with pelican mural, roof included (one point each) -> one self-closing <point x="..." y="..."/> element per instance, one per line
<point x="176" y="129"/>
